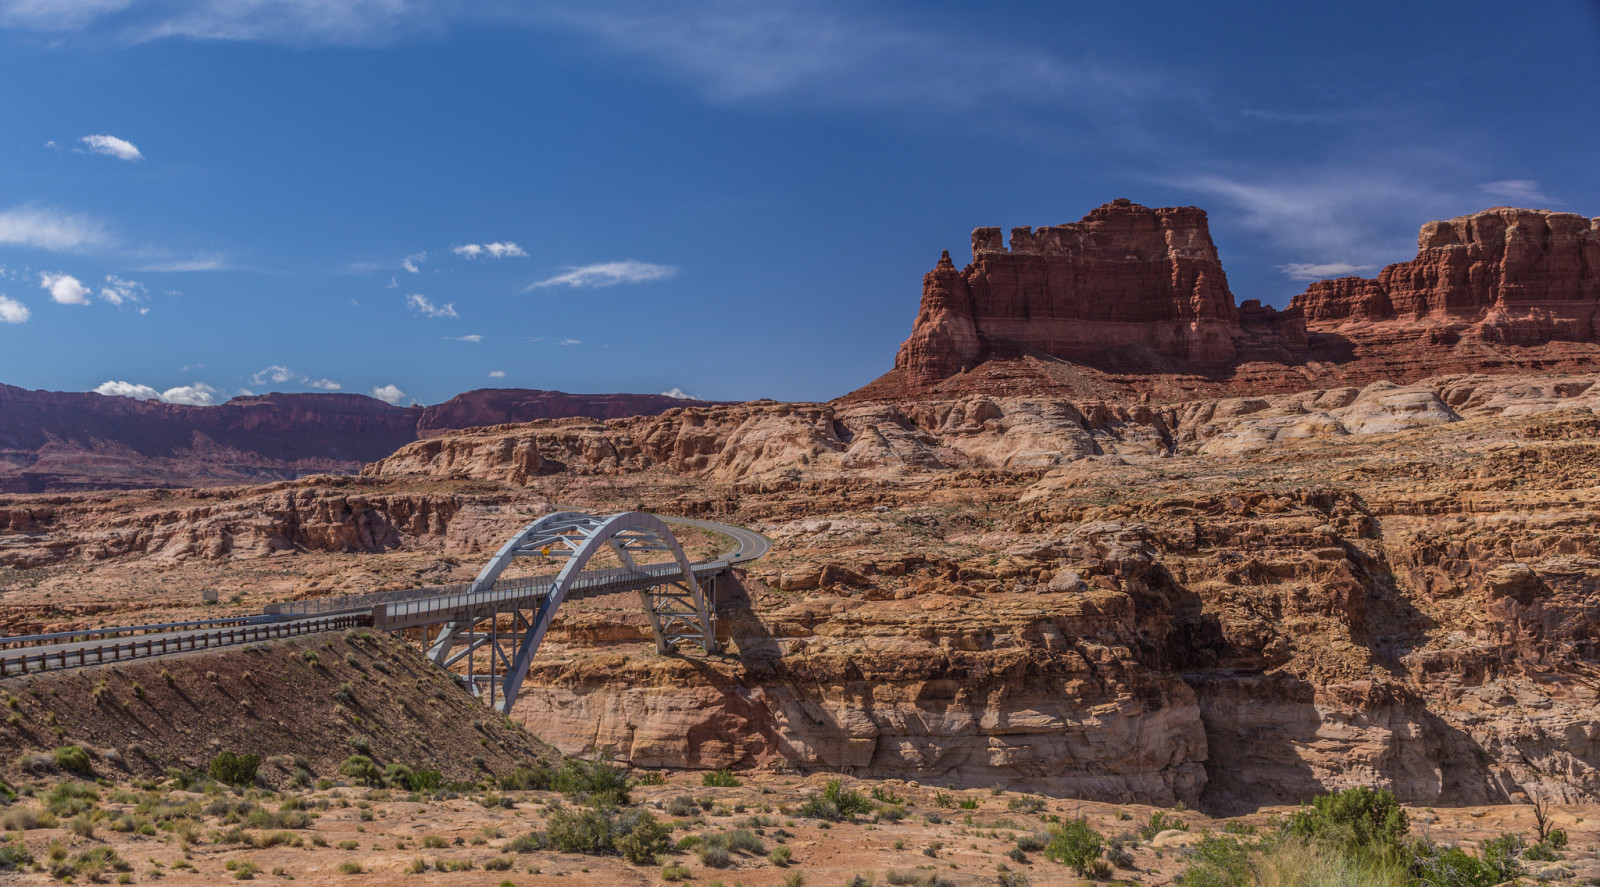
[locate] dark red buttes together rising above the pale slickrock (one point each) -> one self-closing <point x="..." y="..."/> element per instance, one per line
<point x="1135" y="300"/>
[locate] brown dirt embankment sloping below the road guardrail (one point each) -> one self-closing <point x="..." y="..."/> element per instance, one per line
<point x="319" y="699"/>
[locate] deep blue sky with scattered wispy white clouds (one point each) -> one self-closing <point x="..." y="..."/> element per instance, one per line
<point x="418" y="198"/>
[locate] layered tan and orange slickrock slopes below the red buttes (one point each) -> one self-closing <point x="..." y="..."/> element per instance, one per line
<point x="1228" y="603"/>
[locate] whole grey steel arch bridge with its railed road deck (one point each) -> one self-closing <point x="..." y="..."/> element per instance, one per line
<point x="505" y="620"/>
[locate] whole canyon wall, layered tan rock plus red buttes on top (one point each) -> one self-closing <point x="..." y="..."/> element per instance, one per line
<point x="1102" y="534"/>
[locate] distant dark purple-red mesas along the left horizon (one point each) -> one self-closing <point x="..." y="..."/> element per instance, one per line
<point x="54" y="441"/>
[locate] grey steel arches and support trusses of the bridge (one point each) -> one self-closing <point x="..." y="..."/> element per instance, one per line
<point x="511" y="630"/>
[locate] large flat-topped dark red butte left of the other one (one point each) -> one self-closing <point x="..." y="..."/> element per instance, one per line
<point x="1126" y="287"/>
